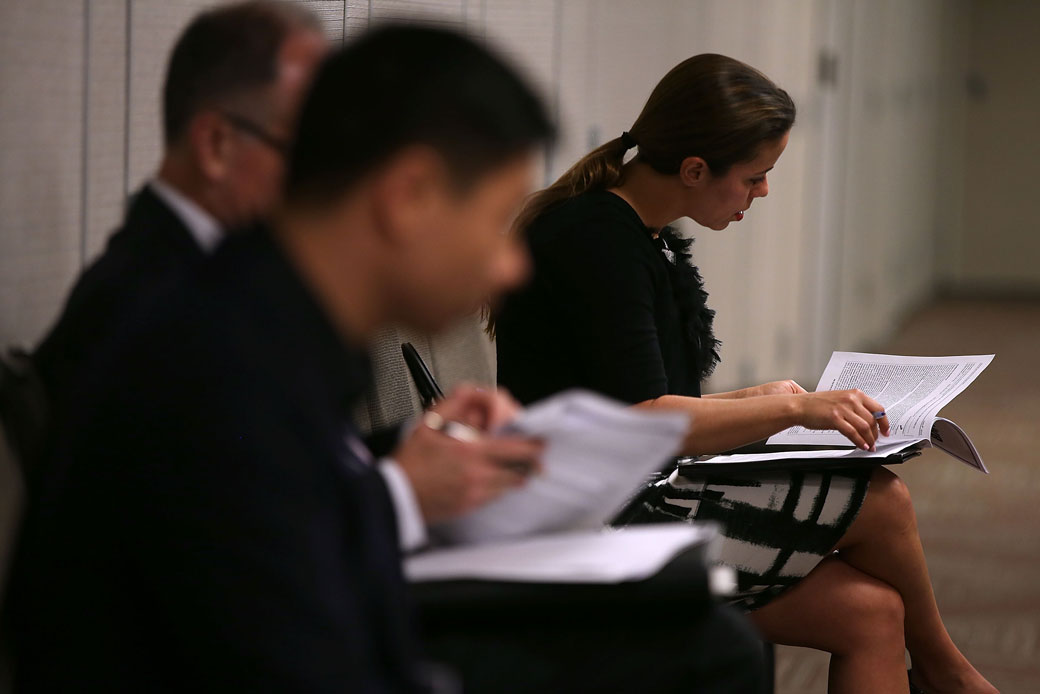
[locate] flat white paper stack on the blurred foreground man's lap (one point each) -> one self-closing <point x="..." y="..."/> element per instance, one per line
<point x="603" y="556"/>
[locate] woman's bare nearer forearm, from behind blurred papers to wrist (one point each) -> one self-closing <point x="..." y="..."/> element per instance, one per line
<point x="724" y="424"/>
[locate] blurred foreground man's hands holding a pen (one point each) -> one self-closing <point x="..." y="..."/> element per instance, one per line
<point x="452" y="462"/>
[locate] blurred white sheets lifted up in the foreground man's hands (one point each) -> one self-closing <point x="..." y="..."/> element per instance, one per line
<point x="599" y="452"/>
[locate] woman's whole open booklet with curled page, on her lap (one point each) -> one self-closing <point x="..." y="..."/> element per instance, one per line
<point x="913" y="391"/>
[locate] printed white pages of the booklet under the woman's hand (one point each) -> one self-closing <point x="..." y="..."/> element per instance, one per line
<point x="912" y="390"/>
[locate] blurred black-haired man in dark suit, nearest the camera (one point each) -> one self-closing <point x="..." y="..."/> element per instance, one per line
<point x="212" y="520"/>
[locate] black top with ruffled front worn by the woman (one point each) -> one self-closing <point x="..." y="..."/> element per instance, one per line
<point x="609" y="309"/>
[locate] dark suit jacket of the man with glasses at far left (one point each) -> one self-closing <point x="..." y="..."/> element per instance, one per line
<point x="152" y="250"/>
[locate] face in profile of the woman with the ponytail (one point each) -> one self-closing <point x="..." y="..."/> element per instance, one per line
<point x="725" y="199"/>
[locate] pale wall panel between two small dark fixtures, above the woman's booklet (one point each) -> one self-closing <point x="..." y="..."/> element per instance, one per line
<point x="889" y="225"/>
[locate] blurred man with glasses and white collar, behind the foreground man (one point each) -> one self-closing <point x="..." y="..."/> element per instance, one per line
<point x="231" y="95"/>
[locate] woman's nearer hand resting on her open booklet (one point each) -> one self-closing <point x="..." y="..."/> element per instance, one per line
<point x="851" y="413"/>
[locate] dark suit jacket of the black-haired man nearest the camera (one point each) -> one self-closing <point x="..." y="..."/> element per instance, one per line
<point x="207" y="522"/>
